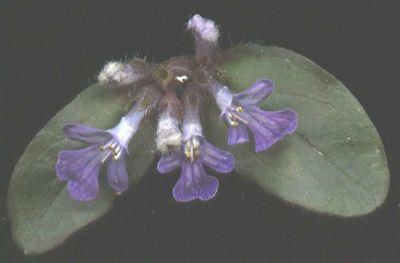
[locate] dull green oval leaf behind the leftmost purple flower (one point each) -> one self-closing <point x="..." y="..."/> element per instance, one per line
<point x="42" y="213"/>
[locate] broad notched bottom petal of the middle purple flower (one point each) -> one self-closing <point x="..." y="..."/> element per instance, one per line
<point x="194" y="183"/>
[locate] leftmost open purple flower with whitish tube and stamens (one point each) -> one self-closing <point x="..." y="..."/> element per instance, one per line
<point x="81" y="167"/>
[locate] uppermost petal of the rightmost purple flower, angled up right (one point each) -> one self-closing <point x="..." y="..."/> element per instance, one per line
<point x="256" y="93"/>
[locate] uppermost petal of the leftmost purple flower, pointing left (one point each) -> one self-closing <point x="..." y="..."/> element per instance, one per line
<point x="84" y="133"/>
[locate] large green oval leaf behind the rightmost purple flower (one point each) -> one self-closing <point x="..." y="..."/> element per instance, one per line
<point x="335" y="162"/>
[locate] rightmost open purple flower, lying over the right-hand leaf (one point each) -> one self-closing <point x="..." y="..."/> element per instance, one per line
<point x="241" y="113"/>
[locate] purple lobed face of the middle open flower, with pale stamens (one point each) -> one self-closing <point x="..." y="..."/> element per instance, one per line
<point x="194" y="182"/>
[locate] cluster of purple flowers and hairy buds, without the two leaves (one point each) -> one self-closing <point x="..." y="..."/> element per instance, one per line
<point x="176" y="93"/>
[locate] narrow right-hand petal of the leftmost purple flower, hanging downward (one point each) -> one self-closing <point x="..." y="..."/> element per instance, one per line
<point x="117" y="174"/>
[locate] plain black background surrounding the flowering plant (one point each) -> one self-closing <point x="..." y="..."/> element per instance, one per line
<point x="52" y="50"/>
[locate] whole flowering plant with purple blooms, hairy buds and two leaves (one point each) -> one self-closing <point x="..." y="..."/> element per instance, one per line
<point x="313" y="144"/>
